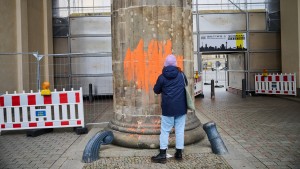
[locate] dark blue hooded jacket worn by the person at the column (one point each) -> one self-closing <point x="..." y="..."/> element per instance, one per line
<point x="170" y="85"/>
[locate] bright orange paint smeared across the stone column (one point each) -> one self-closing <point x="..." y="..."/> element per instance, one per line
<point x="144" y="66"/>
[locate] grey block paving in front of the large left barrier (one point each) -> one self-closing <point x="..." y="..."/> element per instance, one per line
<point x="18" y="151"/>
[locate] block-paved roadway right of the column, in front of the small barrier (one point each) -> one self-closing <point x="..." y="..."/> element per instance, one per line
<point x="265" y="128"/>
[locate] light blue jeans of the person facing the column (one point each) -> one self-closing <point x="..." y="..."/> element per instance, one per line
<point x="167" y="123"/>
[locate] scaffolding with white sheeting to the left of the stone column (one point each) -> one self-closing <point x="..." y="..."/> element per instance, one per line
<point x="83" y="27"/>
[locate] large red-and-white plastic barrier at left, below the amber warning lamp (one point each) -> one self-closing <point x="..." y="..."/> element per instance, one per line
<point x="32" y="110"/>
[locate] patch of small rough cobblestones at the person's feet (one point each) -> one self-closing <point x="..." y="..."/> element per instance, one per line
<point x="199" y="160"/>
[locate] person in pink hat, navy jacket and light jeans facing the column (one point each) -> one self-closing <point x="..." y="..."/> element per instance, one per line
<point x="170" y="84"/>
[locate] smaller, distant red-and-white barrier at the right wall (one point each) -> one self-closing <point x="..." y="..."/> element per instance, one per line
<point x="284" y="84"/>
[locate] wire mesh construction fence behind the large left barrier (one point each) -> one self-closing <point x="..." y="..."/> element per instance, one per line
<point x="25" y="73"/>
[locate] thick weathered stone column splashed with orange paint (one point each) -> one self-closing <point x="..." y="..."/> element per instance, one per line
<point x="144" y="33"/>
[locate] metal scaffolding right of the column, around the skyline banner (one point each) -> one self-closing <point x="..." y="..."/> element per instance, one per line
<point x="212" y="9"/>
